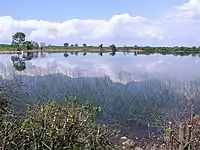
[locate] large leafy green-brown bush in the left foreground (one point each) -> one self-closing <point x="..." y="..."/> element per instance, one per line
<point x="52" y="126"/>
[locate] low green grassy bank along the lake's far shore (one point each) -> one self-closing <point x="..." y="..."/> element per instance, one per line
<point x="181" y="51"/>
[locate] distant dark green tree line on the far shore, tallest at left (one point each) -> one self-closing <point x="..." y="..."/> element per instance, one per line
<point x="19" y="41"/>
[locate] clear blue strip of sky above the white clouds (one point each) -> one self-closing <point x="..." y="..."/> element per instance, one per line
<point x="68" y="9"/>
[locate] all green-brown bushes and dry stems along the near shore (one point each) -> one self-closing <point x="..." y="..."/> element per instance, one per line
<point x="71" y="126"/>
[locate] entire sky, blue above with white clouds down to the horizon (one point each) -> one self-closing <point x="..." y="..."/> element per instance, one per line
<point x="127" y="22"/>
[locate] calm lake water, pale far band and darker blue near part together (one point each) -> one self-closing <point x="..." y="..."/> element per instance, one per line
<point x="129" y="88"/>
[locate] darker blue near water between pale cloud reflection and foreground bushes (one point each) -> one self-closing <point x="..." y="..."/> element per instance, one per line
<point x="124" y="105"/>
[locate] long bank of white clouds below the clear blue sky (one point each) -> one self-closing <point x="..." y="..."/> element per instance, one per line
<point x="181" y="26"/>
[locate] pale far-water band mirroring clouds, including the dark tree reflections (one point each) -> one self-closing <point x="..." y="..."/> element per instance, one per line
<point x="93" y="64"/>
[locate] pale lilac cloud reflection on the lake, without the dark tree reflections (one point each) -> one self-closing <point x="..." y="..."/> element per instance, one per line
<point x="118" y="68"/>
